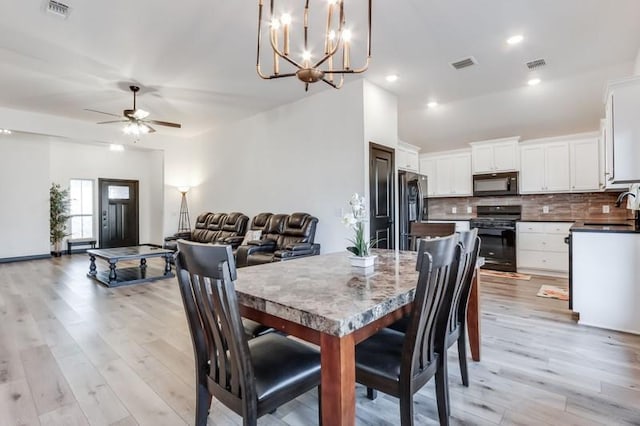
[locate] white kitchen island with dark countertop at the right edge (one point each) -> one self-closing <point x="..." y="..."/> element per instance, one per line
<point x="605" y="279"/>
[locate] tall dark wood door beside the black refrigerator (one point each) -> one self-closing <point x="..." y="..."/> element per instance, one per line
<point x="381" y="177"/>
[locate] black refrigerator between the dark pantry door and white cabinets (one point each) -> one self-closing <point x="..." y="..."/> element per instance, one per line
<point x="412" y="196"/>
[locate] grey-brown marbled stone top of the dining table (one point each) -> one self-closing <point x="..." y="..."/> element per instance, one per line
<point x="327" y="294"/>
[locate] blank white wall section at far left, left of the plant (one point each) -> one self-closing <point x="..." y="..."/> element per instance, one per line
<point x="24" y="191"/>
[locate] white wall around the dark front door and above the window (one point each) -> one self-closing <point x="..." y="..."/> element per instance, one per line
<point x="72" y="160"/>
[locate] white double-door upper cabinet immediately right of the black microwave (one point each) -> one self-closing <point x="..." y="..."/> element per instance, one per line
<point x="545" y="168"/>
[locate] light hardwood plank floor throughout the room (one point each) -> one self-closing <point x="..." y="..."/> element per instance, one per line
<point x="74" y="353"/>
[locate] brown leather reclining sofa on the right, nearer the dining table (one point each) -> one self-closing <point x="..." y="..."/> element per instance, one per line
<point x="284" y="237"/>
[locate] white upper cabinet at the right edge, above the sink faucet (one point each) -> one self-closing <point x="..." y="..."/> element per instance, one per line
<point x="622" y="115"/>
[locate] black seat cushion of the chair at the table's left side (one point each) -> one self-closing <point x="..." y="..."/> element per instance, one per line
<point x="279" y="363"/>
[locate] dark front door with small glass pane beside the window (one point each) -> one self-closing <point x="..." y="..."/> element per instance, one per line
<point x="118" y="213"/>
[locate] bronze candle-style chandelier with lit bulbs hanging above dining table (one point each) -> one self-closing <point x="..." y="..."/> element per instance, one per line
<point x="335" y="59"/>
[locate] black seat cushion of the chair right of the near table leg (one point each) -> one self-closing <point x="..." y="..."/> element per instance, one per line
<point x="381" y="354"/>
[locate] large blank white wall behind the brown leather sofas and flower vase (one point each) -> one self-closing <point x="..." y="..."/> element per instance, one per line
<point x="305" y="156"/>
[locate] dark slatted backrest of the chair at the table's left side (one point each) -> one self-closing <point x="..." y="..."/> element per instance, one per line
<point x="206" y="276"/>
